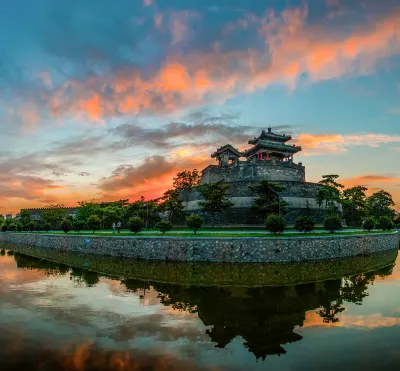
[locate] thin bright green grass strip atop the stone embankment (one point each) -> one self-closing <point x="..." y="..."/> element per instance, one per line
<point x="227" y="234"/>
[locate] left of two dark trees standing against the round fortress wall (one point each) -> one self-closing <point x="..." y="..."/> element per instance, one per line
<point x="215" y="198"/>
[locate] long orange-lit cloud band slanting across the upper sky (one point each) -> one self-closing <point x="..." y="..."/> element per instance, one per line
<point x="292" y="48"/>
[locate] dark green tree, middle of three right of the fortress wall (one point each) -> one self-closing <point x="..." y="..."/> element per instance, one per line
<point x="354" y="202"/>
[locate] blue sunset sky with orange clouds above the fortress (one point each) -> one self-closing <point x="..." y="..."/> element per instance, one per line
<point x="103" y="100"/>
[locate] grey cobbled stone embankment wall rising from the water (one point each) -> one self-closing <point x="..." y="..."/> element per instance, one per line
<point x="214" y="249"/>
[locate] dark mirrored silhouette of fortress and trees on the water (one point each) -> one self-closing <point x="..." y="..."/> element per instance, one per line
<point x="265" y="317"/>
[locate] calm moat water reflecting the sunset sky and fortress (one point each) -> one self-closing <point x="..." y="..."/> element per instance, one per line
<point x="55" y="317"/>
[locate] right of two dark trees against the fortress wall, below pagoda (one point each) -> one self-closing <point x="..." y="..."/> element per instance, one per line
<point x="268" y="201"/>
